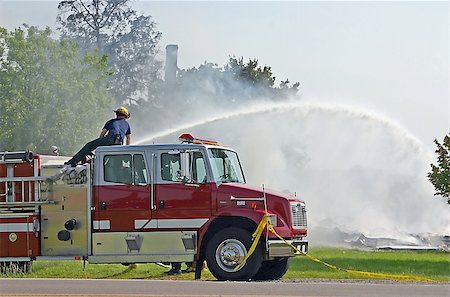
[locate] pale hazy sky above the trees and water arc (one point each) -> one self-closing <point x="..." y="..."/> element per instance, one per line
<point x="391" y="58"/>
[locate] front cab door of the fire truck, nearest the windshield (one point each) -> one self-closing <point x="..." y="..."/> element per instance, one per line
<point x="183" y="194"/>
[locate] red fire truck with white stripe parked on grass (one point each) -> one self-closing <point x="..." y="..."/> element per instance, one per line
<point x="159" y="203"/>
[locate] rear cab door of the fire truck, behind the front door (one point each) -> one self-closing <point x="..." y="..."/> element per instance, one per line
<point x="122" y="194"/>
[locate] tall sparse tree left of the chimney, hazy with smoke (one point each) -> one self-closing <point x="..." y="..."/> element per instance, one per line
<point x="128" y="38"/>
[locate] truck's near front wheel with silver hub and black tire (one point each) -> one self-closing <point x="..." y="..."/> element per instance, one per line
<point x="227" y="249"/>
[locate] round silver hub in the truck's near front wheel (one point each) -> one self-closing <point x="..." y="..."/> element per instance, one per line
<point x="230" y="253"/>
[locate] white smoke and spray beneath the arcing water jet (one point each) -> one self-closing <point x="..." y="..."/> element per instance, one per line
<point x="356" y="170"/>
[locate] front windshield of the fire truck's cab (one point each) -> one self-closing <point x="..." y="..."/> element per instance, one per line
<point x="225" y="166"/>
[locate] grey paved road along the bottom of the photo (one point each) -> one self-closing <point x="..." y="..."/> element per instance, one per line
<point x="166" y="288"/>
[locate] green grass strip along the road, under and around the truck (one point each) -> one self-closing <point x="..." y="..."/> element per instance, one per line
<point x="424" y="264"/>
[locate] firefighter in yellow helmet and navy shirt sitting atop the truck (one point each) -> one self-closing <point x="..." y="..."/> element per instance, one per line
<point x="113" y="133"/>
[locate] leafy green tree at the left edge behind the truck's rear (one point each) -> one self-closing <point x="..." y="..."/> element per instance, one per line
<point x="49" y="93"/>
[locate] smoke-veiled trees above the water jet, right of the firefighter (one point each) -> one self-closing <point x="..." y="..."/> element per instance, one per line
<point x="208" y="90"/>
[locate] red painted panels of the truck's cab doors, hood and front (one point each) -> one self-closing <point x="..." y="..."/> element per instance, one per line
<point x="123" y="204"/>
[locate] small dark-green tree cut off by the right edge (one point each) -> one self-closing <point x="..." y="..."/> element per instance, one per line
<point x="439" y="175"/>
